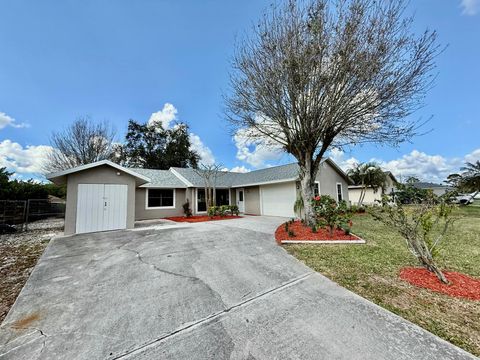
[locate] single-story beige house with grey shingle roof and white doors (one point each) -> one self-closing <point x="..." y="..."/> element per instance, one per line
<point x="106" y="196"/>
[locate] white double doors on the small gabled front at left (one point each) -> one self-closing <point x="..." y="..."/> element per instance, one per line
<point x="101" y="207"/>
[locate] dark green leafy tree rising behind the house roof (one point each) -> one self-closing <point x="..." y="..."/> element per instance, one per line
<point x="153" y="147"/>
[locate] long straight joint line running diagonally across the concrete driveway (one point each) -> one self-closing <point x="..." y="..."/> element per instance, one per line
<point x="212" y="317"/>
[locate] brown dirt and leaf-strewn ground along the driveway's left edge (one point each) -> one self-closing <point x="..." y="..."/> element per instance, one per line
<point x="19" y="253"/>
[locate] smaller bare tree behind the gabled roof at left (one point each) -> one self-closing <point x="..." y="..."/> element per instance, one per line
<point x="81" y="143"/>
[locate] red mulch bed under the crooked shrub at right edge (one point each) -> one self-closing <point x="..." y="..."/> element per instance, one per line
<point x="461" y="285"/>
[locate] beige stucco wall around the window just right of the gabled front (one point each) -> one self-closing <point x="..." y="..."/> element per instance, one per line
<point x="141" y="213"/>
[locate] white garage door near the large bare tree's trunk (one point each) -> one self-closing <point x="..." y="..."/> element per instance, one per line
<point x="278" y="199"/>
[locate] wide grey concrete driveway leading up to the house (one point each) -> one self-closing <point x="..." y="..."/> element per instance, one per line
<point x="218" y="290"/>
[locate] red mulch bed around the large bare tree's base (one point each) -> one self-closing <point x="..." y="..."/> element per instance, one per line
<point x="303" y="232"/>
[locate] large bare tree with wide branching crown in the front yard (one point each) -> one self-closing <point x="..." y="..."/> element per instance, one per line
<point x="322" y="74"/>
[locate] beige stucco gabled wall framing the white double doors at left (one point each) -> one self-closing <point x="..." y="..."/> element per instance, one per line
<point x="99" y="175"/>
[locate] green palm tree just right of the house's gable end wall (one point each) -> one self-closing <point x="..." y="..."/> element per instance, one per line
<point x="367" y="175"/>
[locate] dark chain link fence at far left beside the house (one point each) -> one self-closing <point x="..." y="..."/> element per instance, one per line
<point x="16" y="215"/>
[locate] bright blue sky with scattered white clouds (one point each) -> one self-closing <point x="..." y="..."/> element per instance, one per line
<point x="117" y="60"/>
